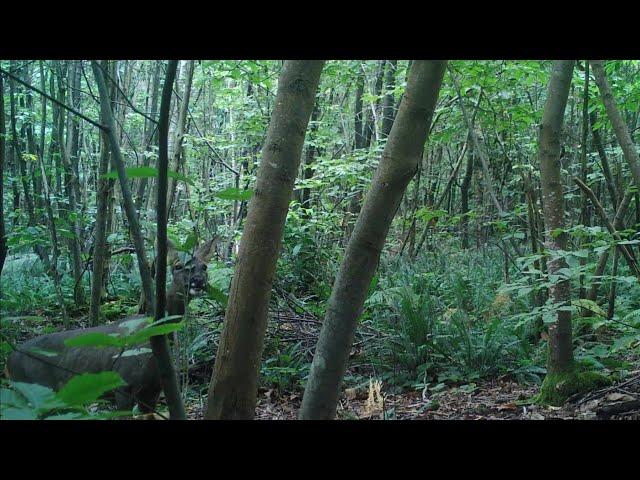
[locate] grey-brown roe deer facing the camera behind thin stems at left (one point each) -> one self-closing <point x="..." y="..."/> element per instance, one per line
<point x="140" y="372"/>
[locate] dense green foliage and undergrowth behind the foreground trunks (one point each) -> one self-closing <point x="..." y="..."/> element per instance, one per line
<point x="460" y="295"/>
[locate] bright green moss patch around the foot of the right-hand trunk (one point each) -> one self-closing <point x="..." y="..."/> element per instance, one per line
<point x="557" y="387"/>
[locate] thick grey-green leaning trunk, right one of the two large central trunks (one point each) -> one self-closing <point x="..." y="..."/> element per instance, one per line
<point x="398" y="165"/>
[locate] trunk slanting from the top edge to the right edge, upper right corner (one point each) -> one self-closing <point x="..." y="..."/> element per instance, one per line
<point x="619" y="127"/>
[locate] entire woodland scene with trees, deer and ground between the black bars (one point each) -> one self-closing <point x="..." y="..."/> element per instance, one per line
<point x="318" y="240"/>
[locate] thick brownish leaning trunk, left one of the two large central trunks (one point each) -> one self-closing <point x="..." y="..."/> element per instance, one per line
<point x="234" y="384"/>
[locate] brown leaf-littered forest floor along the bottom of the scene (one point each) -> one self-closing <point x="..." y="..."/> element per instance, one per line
<point x="490" y="400"/>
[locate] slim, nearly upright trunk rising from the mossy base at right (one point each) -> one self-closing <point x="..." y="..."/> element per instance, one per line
<point x="560" y="341"/>
